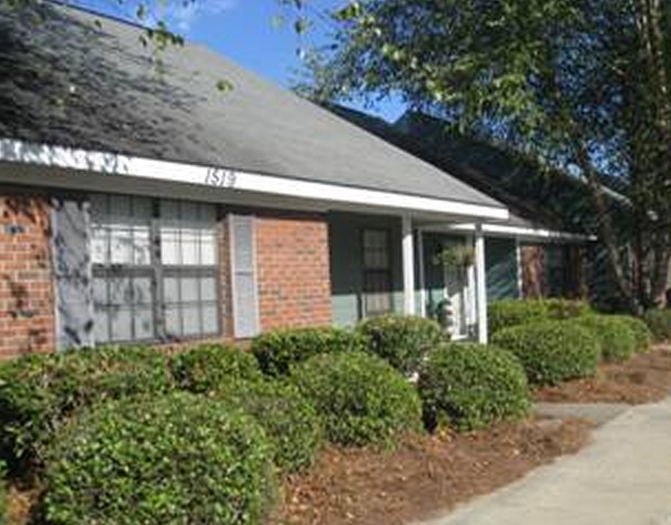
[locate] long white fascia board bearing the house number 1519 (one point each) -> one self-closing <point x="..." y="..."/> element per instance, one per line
<point x="230" y="179"/>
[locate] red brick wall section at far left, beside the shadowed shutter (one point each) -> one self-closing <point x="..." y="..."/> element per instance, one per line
<point x="26" y="290"/>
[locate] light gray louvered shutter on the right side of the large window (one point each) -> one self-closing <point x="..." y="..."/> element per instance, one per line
<point x="243" y="269"/>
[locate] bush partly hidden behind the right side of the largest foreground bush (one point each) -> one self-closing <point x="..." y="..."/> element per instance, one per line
<point x="290" y="421"/>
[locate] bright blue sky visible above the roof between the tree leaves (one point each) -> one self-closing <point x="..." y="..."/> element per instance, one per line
<point x="248" y="32"/>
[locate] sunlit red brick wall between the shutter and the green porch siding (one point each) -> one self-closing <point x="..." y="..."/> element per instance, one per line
<point x="293" y="271"/>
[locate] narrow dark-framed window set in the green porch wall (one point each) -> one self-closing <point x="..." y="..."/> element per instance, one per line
<point x="377" y="272"/>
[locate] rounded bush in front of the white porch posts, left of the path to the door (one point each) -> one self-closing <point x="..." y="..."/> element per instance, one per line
<point x="471" y="386"/>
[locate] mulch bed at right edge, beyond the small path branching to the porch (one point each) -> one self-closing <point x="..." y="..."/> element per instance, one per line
<point x="646" y="378"/>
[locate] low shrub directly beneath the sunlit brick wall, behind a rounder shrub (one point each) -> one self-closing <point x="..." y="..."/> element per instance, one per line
<point x="278" y="351"/>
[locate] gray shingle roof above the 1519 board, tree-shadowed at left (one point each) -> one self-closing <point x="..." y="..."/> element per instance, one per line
<point x="71" y="81"/>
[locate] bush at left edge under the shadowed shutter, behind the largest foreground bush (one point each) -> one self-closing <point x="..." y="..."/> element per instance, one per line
<point x="39" y="392"/>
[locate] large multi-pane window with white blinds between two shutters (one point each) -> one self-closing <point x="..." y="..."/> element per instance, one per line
<point x="154" y="269"/>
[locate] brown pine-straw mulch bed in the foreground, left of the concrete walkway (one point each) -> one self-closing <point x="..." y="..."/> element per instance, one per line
<point x="424" y="475"/>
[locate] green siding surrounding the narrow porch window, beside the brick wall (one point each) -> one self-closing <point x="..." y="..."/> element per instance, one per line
<point x="345" y="244"/>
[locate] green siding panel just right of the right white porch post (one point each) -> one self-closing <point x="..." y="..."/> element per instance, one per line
<point x="501" y="262"/>
